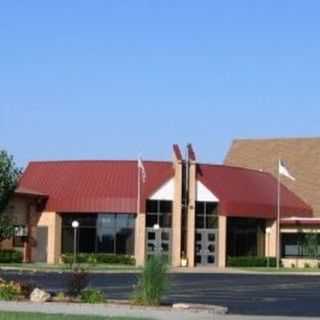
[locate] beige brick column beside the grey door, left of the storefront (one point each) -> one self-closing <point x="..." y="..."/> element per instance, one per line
<point x="53" y="221"/>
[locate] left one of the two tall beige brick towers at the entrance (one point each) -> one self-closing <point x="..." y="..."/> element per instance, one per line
<point x="177" y="213"/>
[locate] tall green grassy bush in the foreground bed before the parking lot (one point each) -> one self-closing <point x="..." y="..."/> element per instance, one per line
<point x="153" y="282"/>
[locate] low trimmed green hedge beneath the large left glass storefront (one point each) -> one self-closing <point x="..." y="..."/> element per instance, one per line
<point x="101" y="258"/>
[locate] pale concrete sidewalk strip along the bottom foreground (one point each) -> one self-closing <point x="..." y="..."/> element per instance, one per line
<point x="122" y="311"/>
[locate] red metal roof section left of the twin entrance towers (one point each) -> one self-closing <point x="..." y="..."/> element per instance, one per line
<point x="93" y="186"/>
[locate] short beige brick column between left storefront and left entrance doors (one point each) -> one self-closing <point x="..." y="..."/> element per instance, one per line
<point x="140" y="239"/>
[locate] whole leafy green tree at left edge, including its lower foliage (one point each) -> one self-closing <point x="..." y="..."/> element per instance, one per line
<point x="9" y="174"/>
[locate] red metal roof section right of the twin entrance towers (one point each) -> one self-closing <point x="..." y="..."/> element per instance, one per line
<point x="250" y="193"/>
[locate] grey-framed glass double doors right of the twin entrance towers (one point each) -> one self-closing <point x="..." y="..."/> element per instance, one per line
<point x="206" y="247"/>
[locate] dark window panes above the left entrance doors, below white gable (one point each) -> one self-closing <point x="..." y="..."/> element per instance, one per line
<point x="159" y="212"/>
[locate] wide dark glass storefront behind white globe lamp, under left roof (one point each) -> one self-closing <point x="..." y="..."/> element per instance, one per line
<point x="100" y="233"/>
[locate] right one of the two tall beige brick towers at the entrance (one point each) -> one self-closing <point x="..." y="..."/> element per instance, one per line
<point x="191" y="224"/>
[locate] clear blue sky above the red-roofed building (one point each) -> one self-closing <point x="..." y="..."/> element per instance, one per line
<point x="112" y="79"/>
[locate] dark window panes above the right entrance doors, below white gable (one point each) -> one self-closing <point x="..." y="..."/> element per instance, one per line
<point x="206" y="215"/>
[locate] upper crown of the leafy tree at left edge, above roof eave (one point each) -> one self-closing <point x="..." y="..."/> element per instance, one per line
<point x="9" y="174"/>
